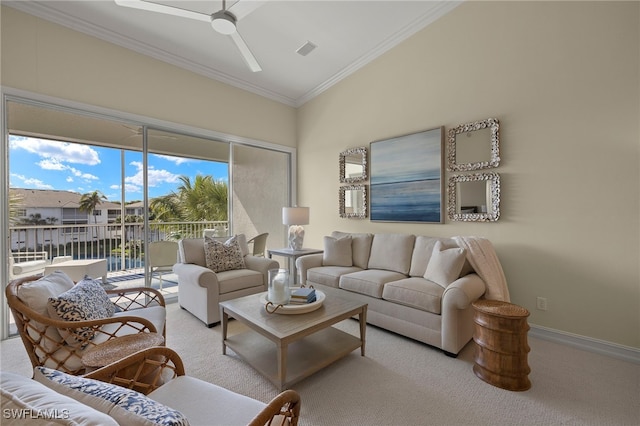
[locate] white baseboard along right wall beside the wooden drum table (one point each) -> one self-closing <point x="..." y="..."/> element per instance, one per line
<point x="614" y="350"/>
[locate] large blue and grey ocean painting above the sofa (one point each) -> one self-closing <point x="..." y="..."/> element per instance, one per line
<point x="406" y="178"/>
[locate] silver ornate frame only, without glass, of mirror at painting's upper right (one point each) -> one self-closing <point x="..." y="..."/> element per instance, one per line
<point x="494" y="125"/>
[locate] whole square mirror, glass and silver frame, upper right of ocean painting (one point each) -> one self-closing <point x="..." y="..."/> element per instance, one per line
<point x="474" y="146"/>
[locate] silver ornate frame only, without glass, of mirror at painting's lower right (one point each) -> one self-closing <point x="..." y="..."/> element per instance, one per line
<point x="494" y="190"/>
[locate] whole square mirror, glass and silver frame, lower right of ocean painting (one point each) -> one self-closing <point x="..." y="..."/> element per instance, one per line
<point x="474" y="197"/>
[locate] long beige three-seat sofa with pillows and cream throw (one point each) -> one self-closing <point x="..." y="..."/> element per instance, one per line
<point x="420" y="287"/>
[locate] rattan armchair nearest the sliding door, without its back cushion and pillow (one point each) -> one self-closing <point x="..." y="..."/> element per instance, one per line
<point x="41" y="334"/>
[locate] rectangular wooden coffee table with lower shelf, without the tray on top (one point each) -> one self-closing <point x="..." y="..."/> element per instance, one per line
<point x="288" y="348"/>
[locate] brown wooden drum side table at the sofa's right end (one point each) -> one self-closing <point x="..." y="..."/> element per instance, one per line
<point x="501" y="351"/>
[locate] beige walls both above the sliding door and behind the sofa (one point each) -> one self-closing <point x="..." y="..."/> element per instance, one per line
<point x="563" y="78"/>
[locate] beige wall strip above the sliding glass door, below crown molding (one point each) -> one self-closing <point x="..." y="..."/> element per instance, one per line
<point x="45" y="58"/>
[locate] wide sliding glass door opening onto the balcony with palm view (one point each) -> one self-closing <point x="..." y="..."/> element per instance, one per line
<point x="84" y="184"/>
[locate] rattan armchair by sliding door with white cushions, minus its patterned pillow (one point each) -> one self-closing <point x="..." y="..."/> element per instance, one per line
<point x="59" y="344"/>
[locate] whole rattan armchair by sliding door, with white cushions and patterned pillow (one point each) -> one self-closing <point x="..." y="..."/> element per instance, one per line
<point x="58" y="320"/>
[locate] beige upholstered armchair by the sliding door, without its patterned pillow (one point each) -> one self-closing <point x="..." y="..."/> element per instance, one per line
<point x="201" y="289"/>
